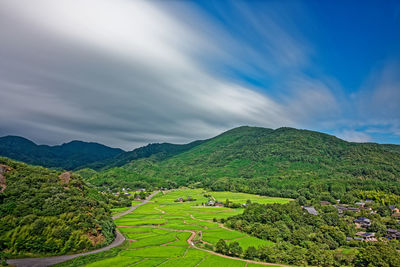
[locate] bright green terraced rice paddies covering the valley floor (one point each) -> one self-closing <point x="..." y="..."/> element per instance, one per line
<point x="168" y="233"/>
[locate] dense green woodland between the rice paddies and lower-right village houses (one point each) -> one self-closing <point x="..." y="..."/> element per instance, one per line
<point x="304" y="239"/>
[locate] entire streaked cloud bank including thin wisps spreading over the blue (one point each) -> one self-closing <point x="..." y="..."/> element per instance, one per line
<point x="126" y="73"/>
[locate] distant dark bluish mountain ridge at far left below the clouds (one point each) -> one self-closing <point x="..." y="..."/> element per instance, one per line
<point x="66" y="156"/>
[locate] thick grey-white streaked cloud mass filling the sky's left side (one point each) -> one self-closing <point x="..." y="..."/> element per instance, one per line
<point x="118" y="72"/>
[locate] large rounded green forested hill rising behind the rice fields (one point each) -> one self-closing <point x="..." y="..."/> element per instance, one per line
<point x="284" y="161"/>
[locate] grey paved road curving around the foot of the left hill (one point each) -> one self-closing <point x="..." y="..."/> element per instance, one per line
<point x="48" y="261"/>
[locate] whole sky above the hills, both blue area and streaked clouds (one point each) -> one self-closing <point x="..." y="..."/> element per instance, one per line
<point x="126" y="73"/>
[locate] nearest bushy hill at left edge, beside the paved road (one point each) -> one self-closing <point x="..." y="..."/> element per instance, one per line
<point x="44" y="211"/>
